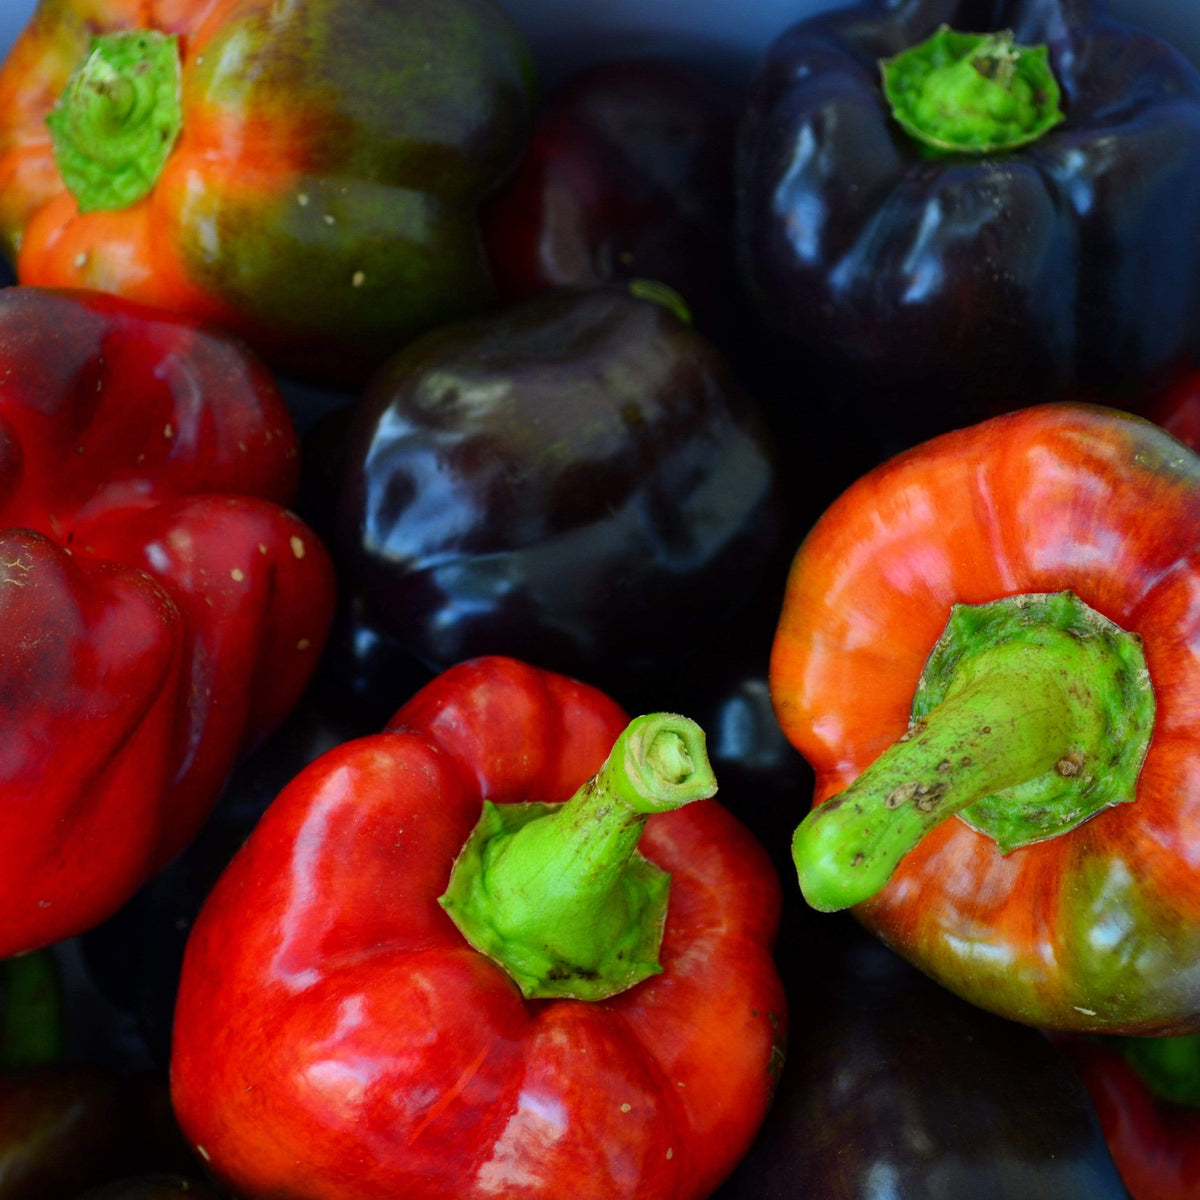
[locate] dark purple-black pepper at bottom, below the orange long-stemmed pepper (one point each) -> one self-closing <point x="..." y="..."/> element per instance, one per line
<point x="895" y="1088"/>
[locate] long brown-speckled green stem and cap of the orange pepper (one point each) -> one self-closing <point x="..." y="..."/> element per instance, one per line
<point x="1034" y="713"/>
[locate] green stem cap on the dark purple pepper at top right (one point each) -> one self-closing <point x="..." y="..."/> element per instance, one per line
<point x="973" y="93"/>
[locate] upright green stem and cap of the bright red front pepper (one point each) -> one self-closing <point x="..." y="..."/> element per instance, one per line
<point x="559" y="895"/>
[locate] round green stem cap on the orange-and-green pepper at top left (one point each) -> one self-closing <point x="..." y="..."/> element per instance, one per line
<point x="118" y="119"/>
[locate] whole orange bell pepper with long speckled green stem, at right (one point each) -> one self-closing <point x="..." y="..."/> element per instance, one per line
<point x="1000" y="627"/>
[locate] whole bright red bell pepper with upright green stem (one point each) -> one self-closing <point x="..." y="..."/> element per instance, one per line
<point x="343" y="1034"/>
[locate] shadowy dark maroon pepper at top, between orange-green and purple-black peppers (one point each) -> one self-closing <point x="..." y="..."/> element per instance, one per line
<point x="629" y="175"/>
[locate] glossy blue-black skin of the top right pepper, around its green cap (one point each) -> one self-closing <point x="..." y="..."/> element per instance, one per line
<point x="935" y="291"/>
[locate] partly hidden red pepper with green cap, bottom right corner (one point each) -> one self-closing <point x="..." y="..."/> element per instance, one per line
<point x="1147" y="1093"/>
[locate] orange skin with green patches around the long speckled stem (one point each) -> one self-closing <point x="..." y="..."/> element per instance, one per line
<point x="1094" y="928"/>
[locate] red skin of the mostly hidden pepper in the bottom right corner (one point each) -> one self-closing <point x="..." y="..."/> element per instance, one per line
<point x="1155" y="1143"/>
